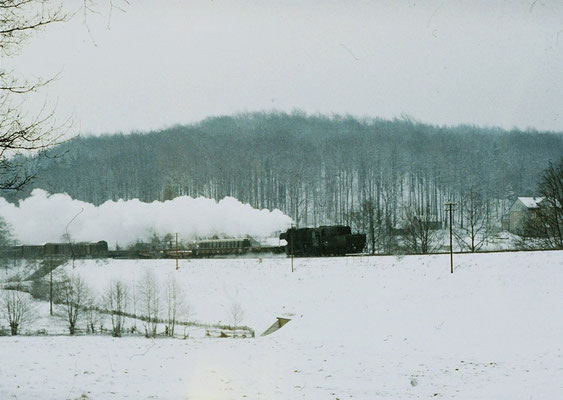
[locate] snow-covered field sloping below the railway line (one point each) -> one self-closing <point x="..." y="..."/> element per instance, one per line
<point x="361" y="328"/>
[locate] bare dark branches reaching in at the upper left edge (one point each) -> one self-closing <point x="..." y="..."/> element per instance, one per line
<point x="19" y="20"/>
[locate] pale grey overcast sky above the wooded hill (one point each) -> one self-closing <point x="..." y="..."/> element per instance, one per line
<point x="491" y="63"/>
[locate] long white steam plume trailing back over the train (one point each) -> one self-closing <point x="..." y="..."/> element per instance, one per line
<point x="43" y="218"/>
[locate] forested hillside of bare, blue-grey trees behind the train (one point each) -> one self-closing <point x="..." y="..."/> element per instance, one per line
<point x="317" y="169"/>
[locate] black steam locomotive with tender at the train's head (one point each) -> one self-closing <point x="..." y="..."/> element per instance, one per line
<point x="323" y="241"/>
